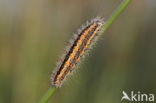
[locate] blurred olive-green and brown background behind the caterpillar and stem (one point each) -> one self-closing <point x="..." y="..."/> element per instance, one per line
<point x="34" y="33"/>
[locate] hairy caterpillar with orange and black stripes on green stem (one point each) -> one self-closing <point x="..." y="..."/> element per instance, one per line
<point x="77" y="48"/>
